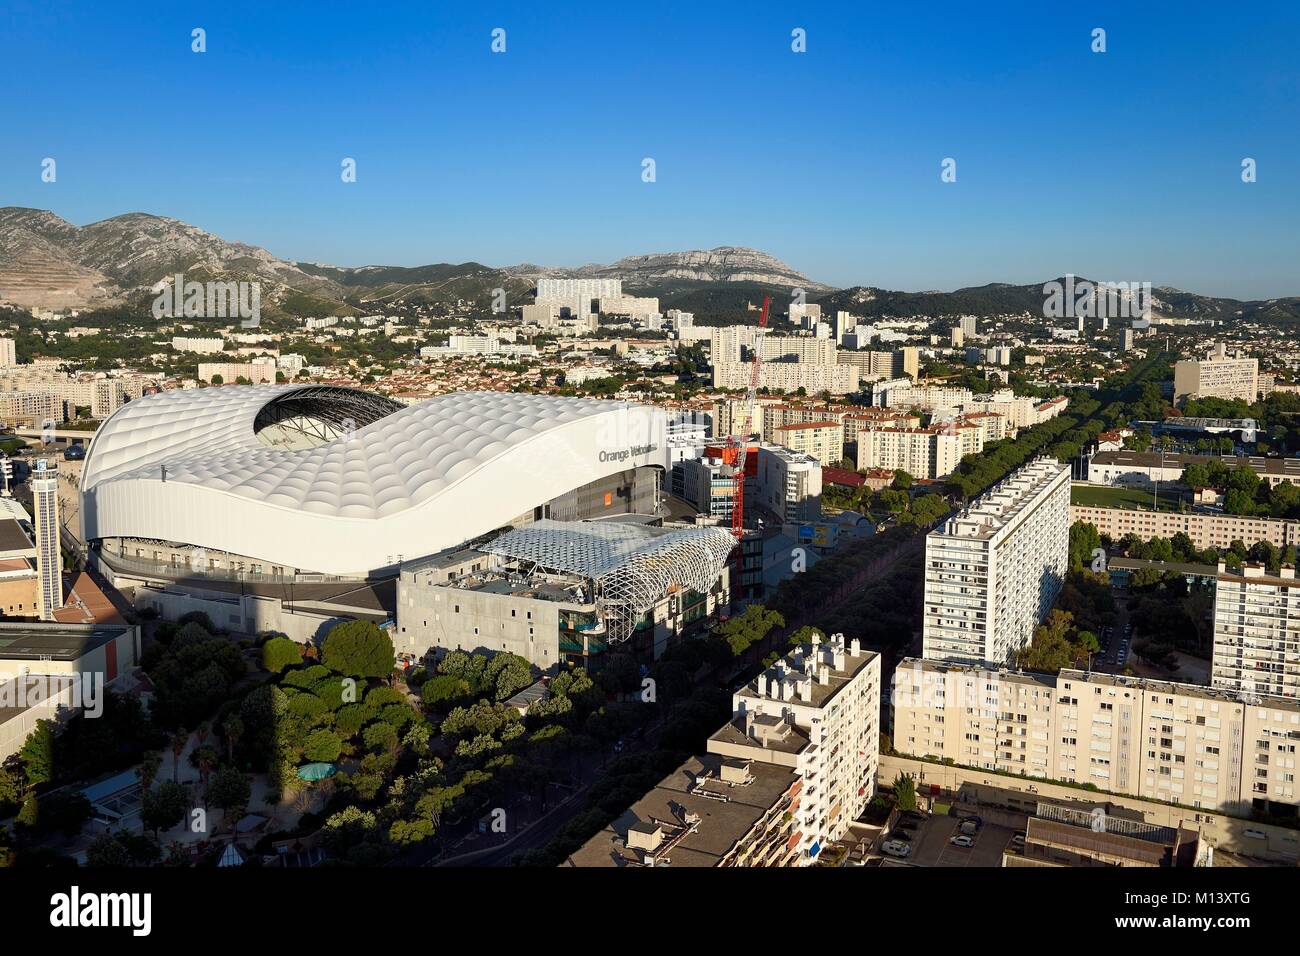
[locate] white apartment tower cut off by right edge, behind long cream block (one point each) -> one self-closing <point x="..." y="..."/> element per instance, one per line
<point x="1258" y="631"/>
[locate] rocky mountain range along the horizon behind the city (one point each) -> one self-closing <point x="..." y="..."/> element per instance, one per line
<point x="49" y="262"/>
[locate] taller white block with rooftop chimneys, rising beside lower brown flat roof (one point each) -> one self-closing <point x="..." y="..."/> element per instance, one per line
<point x="817" y="712"/>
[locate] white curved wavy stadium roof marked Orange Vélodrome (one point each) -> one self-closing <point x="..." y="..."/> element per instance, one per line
<point x="388" y="483"/>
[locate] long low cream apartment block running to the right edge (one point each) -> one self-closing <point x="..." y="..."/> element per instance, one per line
<point x="1186" y="745"/>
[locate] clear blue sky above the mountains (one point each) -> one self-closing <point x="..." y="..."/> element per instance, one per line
<point x="1121" y="166"/>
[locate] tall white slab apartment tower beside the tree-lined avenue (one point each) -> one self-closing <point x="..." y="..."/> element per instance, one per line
<point x="994" y="570"/>
